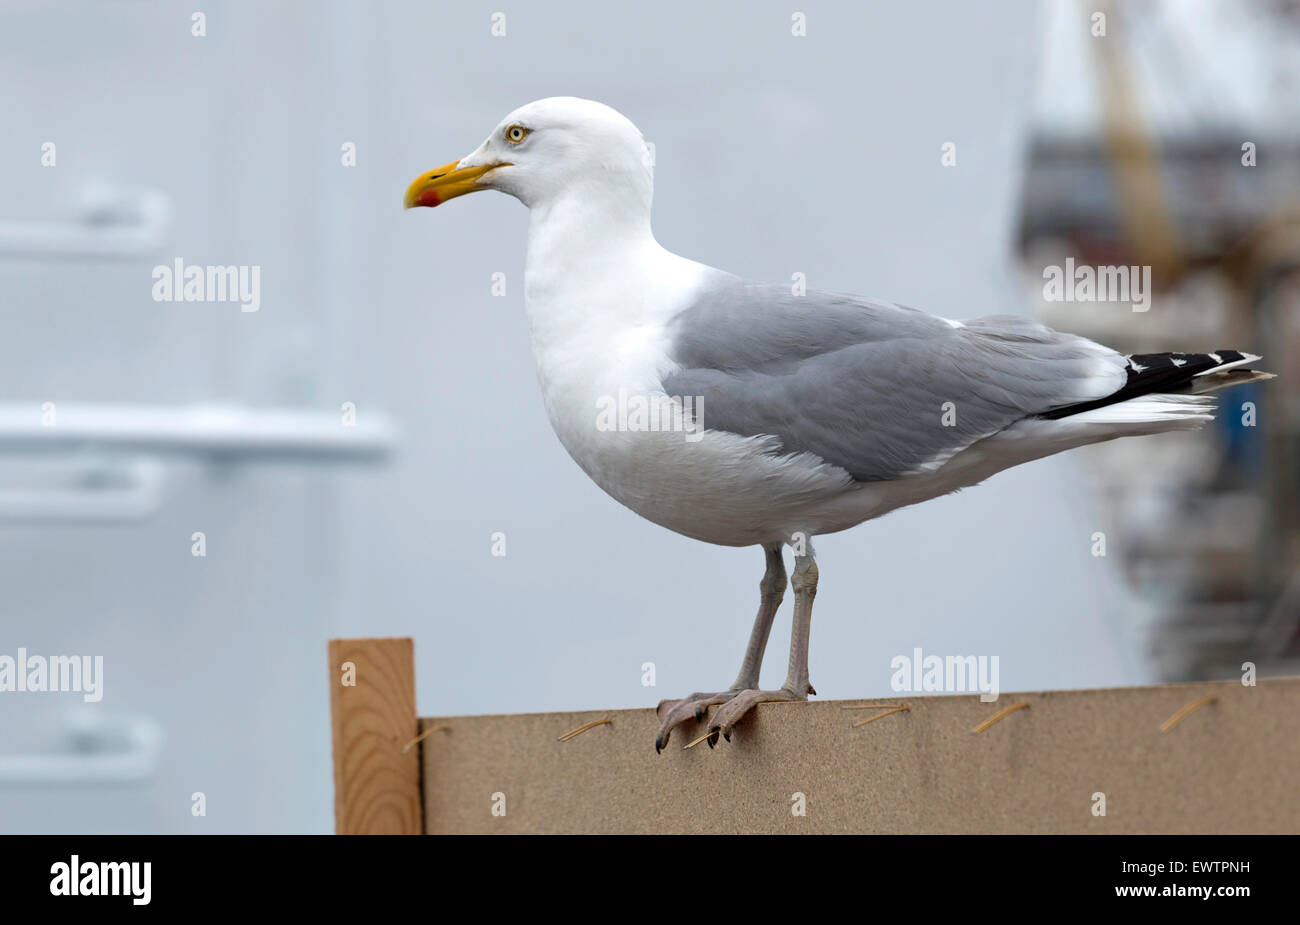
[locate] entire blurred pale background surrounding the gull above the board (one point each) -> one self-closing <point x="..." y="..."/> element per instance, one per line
<point x="344" y="457"/>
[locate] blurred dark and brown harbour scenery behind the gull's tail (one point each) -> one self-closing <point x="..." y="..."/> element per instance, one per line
<point x="1173" y="142"/>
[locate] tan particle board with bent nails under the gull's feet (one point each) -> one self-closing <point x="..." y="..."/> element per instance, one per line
<point x="1229" y="767"/>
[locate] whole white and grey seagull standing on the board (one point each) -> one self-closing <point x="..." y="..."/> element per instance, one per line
<point x="743" y="414"/>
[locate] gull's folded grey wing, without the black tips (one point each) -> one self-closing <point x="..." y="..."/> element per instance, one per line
<point x="865" y="385"/>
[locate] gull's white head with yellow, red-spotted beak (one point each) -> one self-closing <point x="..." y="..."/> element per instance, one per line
<point x="547" y="151"/>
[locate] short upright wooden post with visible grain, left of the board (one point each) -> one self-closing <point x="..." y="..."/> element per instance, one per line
<point x="374" y="718"/>
